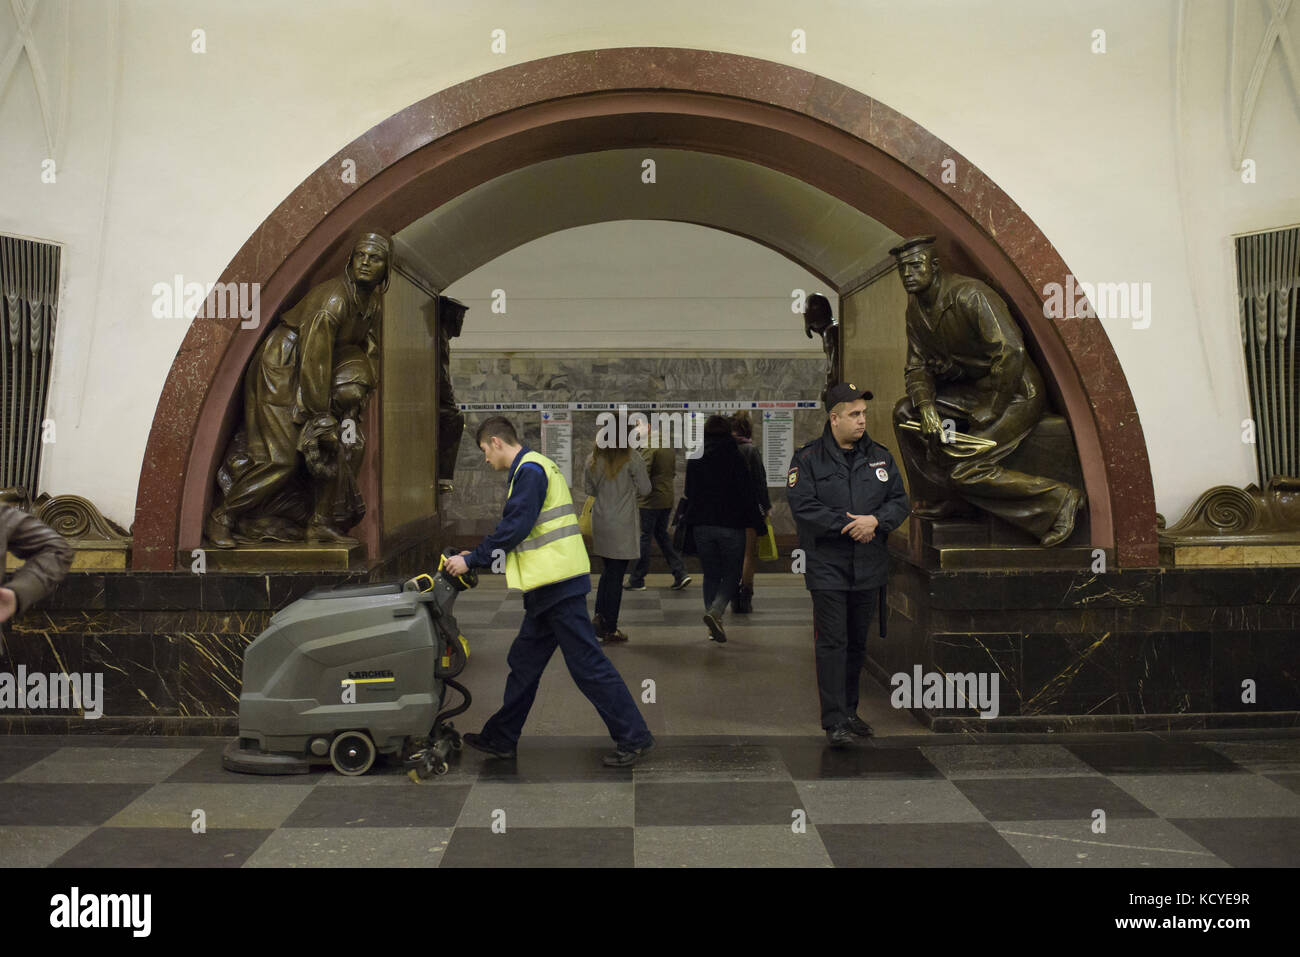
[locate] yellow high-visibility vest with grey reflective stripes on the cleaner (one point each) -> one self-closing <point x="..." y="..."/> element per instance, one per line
<point x="554" y="548"/>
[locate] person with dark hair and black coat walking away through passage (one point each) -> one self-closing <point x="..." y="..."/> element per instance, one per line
<point x="722" y="503"/>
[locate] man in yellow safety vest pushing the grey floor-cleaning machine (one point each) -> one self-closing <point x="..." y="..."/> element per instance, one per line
<point x="545" y="558"/>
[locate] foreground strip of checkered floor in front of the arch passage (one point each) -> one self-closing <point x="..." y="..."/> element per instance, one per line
<point x="696" y="802"/>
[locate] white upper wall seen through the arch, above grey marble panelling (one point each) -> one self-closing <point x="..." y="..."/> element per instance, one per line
<point x="642" y="287"/>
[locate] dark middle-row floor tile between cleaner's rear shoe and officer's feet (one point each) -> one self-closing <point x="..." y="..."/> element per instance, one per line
<point x="716" y="803"/>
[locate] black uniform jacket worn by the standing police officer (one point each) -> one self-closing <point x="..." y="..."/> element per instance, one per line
<point x="821" y="492"/>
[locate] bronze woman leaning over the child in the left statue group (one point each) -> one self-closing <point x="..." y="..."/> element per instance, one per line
<point x="289" y="384"/>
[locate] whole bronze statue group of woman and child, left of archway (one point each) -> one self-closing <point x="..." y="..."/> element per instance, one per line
<point x="289" y="474"/>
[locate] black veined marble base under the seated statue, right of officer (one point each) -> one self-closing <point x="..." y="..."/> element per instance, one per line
<point x="1133" y="649"/>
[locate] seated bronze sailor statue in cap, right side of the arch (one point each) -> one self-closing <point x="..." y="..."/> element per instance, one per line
<point x="967" y="363"/>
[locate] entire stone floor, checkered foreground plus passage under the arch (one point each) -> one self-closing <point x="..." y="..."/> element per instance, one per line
<point x="742" y="777"/>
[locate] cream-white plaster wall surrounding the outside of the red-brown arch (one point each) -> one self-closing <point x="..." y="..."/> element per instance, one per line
<point x="197" y="150"/>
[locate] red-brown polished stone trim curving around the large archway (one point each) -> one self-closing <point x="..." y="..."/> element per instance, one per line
<point x="796" y="123"/>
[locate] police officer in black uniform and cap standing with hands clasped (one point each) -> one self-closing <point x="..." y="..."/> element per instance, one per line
<point x="847" y="495"/>
